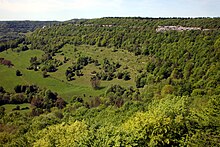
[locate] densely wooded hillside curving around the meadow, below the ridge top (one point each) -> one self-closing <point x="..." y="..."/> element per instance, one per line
<point x="185" y="60"/>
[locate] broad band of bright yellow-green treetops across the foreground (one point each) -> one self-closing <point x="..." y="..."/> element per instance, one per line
<point x="170" y="121"/>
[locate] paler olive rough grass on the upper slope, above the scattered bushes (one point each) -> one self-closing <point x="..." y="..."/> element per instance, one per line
<point x="125" y="58"/>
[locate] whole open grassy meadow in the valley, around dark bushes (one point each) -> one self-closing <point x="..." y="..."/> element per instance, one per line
<point x="57" y="80"/>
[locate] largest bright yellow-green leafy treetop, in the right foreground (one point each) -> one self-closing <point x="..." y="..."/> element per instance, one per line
<point x="169" y="122"/>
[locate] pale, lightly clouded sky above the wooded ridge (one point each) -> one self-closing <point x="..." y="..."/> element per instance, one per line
<point x="62" y="10"/>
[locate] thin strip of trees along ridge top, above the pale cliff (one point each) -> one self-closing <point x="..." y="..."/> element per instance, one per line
<point x="204" y="22"/>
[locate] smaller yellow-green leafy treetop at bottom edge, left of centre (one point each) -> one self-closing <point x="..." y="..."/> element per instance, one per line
<point x="63" y="135"/>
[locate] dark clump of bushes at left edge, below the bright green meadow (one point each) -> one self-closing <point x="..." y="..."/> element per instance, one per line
<point x="40" y="99"/>
